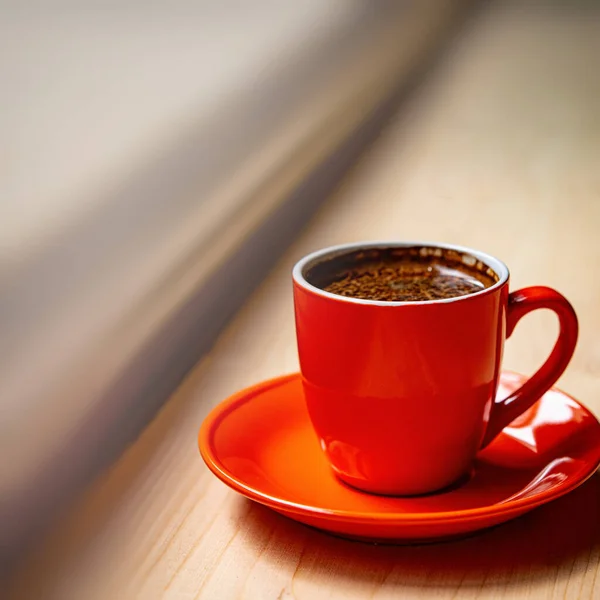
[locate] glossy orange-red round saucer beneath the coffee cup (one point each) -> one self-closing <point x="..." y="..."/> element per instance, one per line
<point x="260" y="442"/>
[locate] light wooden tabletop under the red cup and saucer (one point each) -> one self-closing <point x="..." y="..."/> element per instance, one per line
<point x="499" y="151"/>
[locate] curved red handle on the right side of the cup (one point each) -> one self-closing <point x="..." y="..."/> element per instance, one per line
<point x="520" y="303"/>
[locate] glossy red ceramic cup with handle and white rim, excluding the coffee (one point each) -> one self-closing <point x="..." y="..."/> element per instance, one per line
<point x="402" y="395"/>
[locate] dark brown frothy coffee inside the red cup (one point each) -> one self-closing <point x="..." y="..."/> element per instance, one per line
<point x="402" y="274"/>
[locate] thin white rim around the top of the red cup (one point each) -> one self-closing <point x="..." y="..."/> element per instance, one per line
<point x="332" y="251"/>
